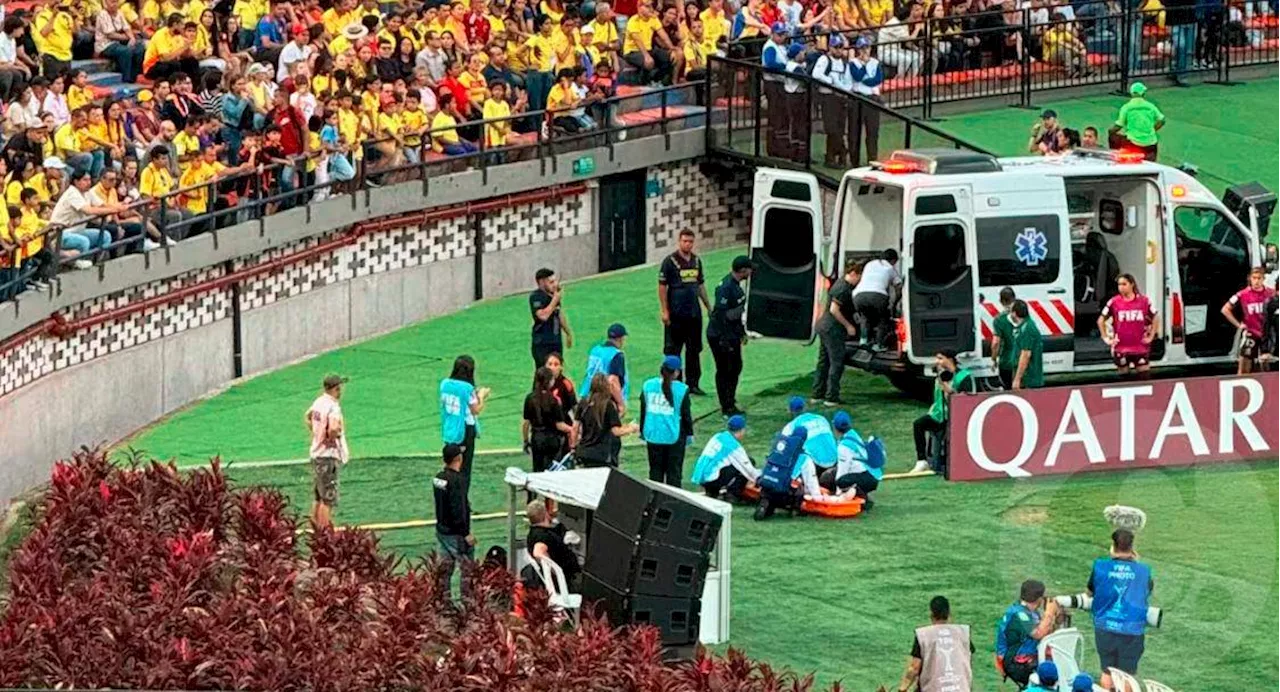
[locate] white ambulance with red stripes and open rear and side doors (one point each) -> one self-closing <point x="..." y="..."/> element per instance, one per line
<point x="966" y="226"/>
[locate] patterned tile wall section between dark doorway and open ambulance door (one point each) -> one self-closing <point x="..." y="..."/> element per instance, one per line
<point x="717" y="208"/>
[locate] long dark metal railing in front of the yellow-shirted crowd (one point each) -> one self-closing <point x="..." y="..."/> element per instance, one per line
<point x="254" y="195"/>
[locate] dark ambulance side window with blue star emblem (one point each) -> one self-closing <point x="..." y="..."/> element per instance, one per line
<point x="1018" y="250"/>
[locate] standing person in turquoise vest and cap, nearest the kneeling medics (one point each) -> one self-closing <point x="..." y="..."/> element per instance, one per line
<point x="666" y="423"/>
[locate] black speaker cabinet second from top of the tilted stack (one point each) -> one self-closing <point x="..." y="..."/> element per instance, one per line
<point x="634" y="566"/>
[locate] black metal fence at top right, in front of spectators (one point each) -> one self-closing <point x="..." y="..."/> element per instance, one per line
<point x="1005" y="52"/>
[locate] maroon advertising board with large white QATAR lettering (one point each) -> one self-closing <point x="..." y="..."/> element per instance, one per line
<point x="1114" y="427"/>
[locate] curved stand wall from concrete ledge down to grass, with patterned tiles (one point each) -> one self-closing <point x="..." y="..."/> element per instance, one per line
<point x="98" y="369"/>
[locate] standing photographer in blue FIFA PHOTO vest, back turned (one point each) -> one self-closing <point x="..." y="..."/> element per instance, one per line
<point x="1121" y="586"/>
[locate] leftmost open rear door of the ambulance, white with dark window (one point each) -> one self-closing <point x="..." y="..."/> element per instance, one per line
<point x="787" y="288"/>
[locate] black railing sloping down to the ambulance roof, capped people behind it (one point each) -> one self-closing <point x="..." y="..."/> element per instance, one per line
<point x="798" y="122"/>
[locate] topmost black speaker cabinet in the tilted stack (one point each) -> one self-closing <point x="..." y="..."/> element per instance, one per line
<point x="657" y="515"/>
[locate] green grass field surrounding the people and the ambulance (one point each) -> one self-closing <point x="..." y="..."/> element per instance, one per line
<point x="838" y="598"/>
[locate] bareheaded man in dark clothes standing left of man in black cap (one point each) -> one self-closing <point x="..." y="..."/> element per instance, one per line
<point x="682" y="296"/>
